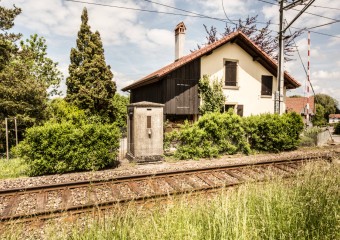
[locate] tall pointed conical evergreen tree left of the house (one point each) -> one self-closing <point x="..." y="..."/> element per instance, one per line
<point x="90" y="84"/>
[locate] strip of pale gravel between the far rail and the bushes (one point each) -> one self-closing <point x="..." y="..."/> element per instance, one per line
<point x="128" y="169"/>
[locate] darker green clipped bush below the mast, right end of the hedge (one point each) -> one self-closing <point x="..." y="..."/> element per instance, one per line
<point x="274" y="133"/>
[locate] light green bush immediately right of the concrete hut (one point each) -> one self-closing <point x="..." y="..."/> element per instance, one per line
<point x="212" y="135"/>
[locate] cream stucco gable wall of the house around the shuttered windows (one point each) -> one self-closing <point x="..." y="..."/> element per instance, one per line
<point x="249" y="74"/>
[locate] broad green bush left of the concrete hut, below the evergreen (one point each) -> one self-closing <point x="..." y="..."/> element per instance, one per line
<point x="66" y="147"/>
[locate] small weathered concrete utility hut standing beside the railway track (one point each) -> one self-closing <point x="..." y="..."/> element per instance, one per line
<point x="145" y="132"/>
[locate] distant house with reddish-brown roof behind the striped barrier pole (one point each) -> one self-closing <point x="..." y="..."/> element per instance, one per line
<point x="303" y="106"/>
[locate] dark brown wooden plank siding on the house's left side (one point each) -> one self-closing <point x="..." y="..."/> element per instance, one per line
<point x="178" y="90"/>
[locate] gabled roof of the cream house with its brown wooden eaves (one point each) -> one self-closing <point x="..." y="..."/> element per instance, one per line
<point x="237" y="37"/>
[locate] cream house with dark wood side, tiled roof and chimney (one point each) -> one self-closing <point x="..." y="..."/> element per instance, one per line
<point x="248" y="74"/>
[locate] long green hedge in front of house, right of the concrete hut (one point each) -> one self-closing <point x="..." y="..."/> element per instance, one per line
<point x="227" y="133"/>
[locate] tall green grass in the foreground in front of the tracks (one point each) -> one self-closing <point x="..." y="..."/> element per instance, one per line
<point x="304" y="208"/>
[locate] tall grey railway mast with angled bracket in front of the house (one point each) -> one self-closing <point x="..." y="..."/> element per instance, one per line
<point x="278" y="106"/>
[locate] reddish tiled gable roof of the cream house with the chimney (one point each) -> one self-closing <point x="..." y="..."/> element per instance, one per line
<point x="155" y="76"/>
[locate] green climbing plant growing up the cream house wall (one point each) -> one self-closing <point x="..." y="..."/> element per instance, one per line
<point x="211" y="94"/>
